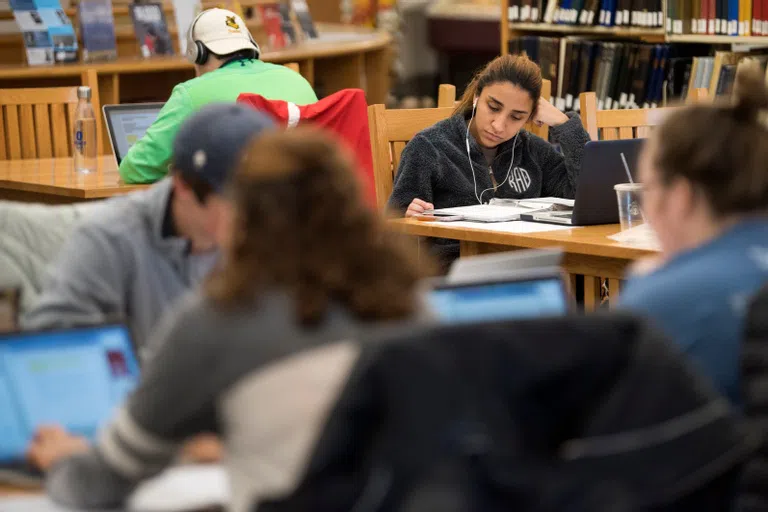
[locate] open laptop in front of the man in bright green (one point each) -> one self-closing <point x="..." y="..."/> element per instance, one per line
<point x="126" y="124"/>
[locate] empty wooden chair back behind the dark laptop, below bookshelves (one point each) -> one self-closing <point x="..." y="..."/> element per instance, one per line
<point x="622" y="124"/>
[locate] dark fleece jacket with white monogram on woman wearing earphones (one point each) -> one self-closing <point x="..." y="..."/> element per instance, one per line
<point x="434" y="167"/>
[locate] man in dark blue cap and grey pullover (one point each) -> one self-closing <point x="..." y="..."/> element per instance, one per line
<point x="148" y="248"/>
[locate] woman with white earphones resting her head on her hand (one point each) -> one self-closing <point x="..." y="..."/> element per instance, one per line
<point x="482" y="151"/>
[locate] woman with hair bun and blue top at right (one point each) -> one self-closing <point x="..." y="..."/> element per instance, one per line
<point x="705" y="178"/>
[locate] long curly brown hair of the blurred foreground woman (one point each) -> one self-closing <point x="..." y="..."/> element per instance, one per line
<point x="300" y="225"/>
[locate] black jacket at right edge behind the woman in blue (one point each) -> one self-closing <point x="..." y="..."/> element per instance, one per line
<point x="754" y="374"/>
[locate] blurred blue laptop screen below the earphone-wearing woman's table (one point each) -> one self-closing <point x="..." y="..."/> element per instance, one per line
<point x="499" y="301"/>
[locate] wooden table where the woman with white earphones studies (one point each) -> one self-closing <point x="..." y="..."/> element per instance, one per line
<point x="588" y="250"/>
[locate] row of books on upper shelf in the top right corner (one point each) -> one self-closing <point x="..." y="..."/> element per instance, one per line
<point x="723" y="17"/>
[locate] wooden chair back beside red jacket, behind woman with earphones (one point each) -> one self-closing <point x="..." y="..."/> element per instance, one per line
<point x="390" y="131"/>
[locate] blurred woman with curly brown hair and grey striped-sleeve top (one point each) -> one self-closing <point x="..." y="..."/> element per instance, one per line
<point x="258" y="355"/>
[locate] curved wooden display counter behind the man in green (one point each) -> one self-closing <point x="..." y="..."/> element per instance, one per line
<point x="349" y="57"/>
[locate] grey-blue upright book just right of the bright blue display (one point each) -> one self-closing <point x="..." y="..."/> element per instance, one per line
<point x="97" y="30"/>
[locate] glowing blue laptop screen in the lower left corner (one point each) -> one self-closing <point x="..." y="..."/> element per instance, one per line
<point x="73" y="378"/>
